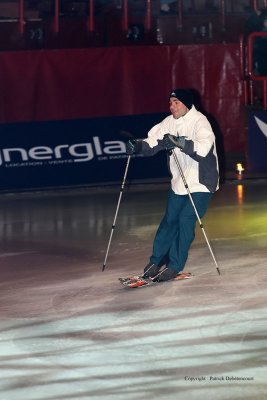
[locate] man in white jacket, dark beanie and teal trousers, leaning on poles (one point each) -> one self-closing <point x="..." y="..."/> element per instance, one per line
<point x="188" y="133"/>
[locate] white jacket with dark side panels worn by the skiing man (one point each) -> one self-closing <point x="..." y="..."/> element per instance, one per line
<point x="198" y="158"/>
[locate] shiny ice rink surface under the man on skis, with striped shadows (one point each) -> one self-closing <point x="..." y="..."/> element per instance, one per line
<point x="70" y="331"/>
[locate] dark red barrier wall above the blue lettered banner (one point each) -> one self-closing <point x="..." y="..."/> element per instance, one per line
<point x="82" y="83"/>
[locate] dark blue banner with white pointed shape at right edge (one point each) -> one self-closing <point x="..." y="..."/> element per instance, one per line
<point x="257" y="141"/>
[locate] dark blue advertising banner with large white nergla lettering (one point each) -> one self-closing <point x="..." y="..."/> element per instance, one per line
<point x="76" y="152"/>
